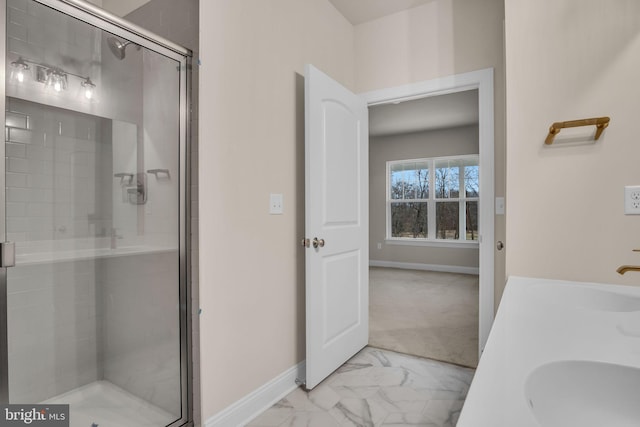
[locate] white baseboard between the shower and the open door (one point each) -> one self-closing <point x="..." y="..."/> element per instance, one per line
<point x="256" y="402"/>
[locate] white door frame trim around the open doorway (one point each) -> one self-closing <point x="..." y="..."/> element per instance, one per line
<point x="482" y="80"/>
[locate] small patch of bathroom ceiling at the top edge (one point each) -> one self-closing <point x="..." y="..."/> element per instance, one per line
<point x="359" y="11"/>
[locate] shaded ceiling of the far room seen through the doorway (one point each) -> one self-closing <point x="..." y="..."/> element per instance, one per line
<point x="425" y="114"/>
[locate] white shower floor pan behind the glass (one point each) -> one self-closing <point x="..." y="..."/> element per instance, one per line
<point x="103" y="404"/>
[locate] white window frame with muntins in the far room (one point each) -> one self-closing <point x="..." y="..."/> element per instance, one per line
<point x="431" y="201"/>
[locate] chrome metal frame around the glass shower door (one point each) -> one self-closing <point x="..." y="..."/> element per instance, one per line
<point x="113" y="24"/>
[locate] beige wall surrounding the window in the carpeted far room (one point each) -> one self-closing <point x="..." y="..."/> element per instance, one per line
<point x="438" y="143"/>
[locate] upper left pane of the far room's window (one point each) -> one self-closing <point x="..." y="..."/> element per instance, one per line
<point x="409" y="181"/>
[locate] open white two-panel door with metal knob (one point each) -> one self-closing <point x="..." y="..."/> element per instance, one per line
<point x="337" y="225"/>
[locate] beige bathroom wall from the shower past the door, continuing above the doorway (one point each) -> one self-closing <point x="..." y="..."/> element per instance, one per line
<point x="252" y="143"/>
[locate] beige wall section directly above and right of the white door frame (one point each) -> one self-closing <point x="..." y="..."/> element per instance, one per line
<point x="440" y="38"/>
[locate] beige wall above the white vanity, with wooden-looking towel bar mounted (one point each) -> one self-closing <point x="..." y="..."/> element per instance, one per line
<point x="572" y="59"/>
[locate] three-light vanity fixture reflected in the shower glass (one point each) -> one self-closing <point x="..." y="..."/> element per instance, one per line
<point x="53" y="77"/>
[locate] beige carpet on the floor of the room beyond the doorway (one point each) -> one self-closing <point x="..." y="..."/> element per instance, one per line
<point x="425" y="313"/>
